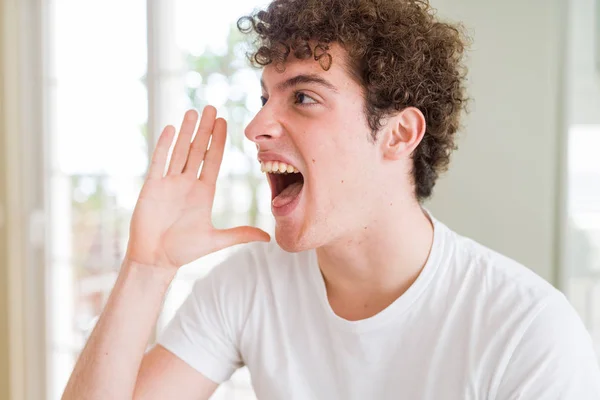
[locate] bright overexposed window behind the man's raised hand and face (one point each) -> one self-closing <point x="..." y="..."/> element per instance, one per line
<point x="116" y="72"/>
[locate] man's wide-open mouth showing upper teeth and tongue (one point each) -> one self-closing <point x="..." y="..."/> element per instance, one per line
<point x="285" y="180"/>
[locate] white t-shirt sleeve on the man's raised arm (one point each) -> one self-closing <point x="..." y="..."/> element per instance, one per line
<point x="206" y="329"/>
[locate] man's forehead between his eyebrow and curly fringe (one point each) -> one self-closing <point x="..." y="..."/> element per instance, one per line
<point x="337" y="74"/>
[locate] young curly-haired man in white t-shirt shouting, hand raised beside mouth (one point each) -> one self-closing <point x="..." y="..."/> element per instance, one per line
<point x="365" y="295"/>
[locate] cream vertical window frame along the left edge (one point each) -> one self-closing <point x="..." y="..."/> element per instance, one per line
<point x="23" y="113"/>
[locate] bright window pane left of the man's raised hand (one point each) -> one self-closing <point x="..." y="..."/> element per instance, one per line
<point x="97" y="136"/>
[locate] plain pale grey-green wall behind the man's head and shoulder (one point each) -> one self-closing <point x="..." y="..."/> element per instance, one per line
<point x="502" y="185"/>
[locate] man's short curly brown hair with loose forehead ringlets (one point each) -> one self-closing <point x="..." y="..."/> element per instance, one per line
<point x="398" y="51"/>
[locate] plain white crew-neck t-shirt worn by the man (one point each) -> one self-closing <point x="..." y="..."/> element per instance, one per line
<point x="474" y="325"/>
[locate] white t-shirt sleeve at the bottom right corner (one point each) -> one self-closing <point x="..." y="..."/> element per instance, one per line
<point x="554" y="359"/>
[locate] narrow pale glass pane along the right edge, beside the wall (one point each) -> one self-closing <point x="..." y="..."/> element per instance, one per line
<point x="582" y="236"/>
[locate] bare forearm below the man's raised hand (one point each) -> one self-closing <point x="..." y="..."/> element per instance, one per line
<point x="108" y="365"/>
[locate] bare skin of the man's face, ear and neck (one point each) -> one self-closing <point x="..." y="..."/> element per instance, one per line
<point x="357" y="207"/>
